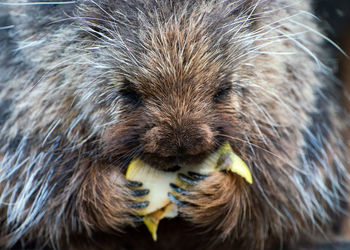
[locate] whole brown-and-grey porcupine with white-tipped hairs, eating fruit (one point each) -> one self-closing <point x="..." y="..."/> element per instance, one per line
<point x="88" y="85"/>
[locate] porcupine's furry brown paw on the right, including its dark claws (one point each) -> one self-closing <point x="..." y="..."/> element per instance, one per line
<point x="215" y="201"/>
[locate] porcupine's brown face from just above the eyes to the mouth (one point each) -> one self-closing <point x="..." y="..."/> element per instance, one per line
<point x="177" y="115"/>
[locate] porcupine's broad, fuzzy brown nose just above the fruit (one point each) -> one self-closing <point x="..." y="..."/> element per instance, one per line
<point x="190" y="140"/>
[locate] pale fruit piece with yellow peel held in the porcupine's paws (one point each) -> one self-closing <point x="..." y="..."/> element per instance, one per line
<point x="158" y="182"/>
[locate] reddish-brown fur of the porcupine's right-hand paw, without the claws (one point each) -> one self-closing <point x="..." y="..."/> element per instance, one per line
<point x="217" y="203"/>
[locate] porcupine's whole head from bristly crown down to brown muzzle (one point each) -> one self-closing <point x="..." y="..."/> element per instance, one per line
<point x="178" y="100"/>
